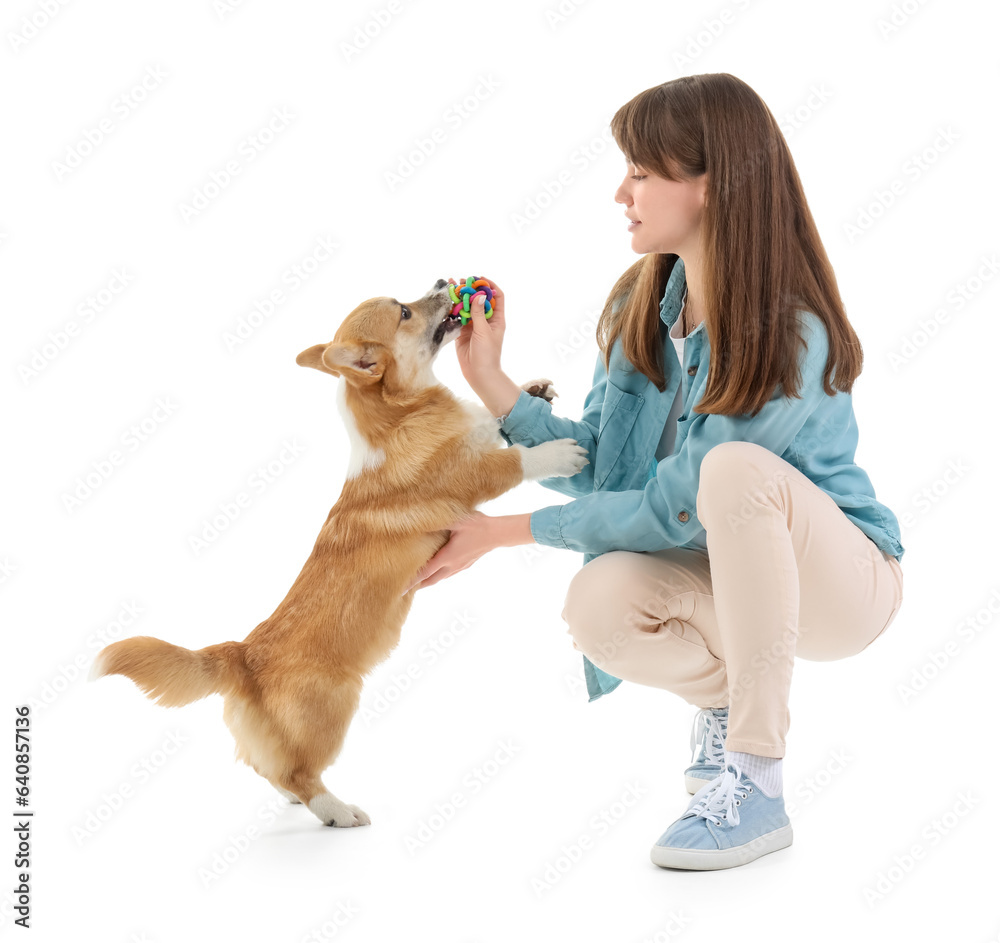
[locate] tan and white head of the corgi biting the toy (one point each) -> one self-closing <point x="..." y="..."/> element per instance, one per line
<point x="387" y="341"/>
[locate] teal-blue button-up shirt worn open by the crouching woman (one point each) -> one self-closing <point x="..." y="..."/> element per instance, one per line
<point x="627" y="500"/>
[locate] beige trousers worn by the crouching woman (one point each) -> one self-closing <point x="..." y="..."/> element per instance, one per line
<point x="786" y="573"/>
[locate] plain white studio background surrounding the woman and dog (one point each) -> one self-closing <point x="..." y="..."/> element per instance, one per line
<point x="518" y="95"/>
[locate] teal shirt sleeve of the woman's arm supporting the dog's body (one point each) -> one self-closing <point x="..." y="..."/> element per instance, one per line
<point x="663" y="513"/>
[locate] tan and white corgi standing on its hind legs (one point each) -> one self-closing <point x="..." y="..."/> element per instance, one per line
<point x="420" y="459"/>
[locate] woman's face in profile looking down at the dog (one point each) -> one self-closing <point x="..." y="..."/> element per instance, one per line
<point x="668" y="211"/>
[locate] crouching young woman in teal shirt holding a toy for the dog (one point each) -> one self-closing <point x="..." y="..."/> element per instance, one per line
<point x="725" y="526"/>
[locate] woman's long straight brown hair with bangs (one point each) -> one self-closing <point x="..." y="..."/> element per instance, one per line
<point x="762" y="255"/>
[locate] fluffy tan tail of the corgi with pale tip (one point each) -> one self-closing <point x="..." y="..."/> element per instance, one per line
<point x="171" y="675"/>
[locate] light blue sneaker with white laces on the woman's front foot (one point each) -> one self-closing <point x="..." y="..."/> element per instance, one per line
<point x="729" y="822"/>
